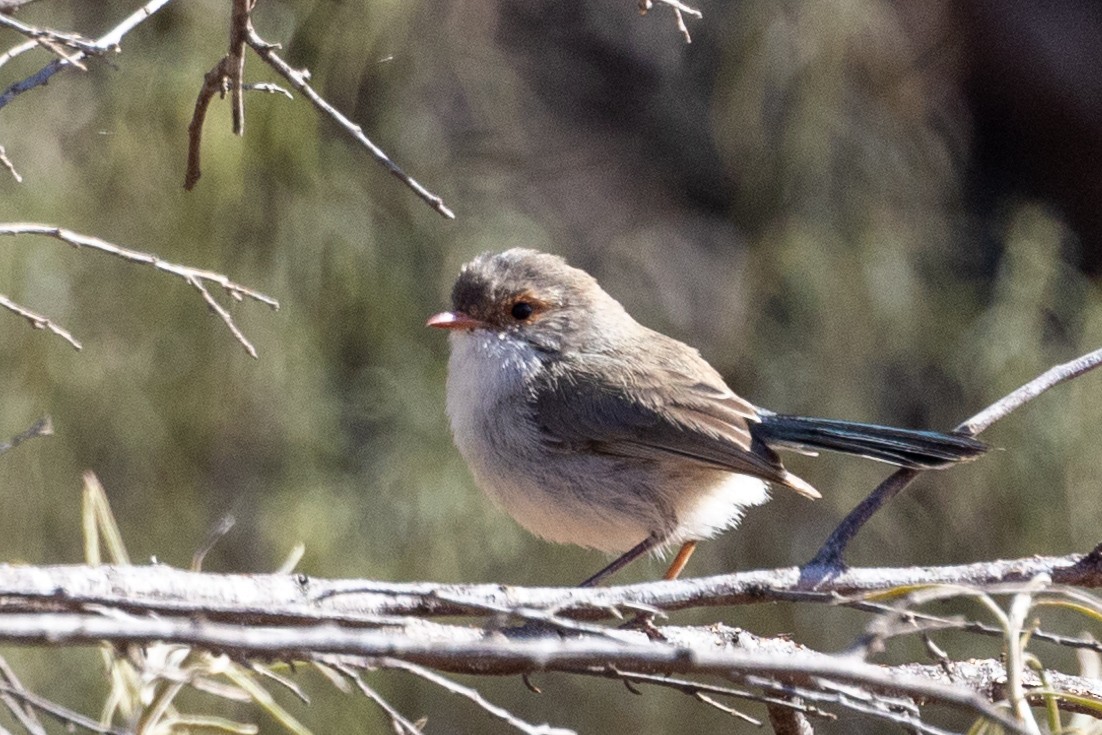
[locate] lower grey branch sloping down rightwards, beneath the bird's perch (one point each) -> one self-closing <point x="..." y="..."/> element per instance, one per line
<point x="479" y="652"/>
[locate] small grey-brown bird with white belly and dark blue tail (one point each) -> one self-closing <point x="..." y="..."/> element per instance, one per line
<point x="591" y="429"/>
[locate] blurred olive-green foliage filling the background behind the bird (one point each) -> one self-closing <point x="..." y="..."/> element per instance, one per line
<point x="786" y="193"/>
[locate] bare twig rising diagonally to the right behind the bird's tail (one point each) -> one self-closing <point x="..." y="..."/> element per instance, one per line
<point x="830" y="558"/>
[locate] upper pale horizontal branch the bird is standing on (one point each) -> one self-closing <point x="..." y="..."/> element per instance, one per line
<point x="280" y="599"/>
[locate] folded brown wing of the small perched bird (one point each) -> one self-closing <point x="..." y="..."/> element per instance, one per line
<point x="658" y="414"/>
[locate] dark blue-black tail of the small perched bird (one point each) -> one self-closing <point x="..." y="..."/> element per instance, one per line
<point x="906" y="448"/>
